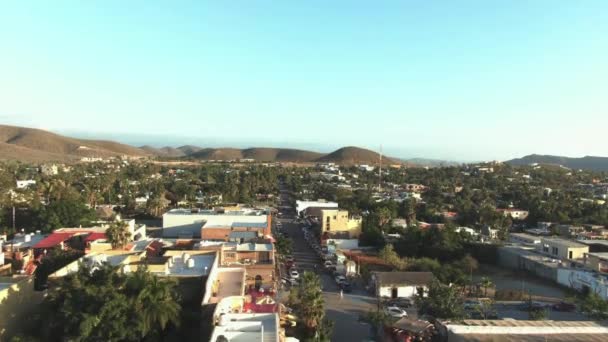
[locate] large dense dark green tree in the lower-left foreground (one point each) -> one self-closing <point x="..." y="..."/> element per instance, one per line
<point x="103" y="304"/>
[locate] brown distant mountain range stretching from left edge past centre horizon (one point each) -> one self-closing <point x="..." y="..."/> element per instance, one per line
<point x="35" y="145"/>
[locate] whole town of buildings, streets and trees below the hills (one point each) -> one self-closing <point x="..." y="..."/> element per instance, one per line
<point x="125" y="249"/>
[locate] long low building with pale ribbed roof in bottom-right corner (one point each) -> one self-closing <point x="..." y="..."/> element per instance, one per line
<point x="521" y="330"/>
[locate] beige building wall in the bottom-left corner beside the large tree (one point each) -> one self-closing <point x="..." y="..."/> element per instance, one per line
<point x="15" y="303"/>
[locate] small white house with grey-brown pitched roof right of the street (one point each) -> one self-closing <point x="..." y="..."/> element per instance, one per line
<point x="400" y="284"/>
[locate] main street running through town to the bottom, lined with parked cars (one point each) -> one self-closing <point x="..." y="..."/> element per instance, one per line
<point x="345" y="311"/>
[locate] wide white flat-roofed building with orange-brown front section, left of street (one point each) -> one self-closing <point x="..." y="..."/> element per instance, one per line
<point x="214" y="224"/>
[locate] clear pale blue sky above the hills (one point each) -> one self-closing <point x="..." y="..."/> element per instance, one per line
<point x="461" y="80"/>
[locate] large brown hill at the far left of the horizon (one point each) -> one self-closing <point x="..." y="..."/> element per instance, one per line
<point x="29" y="144"/>
